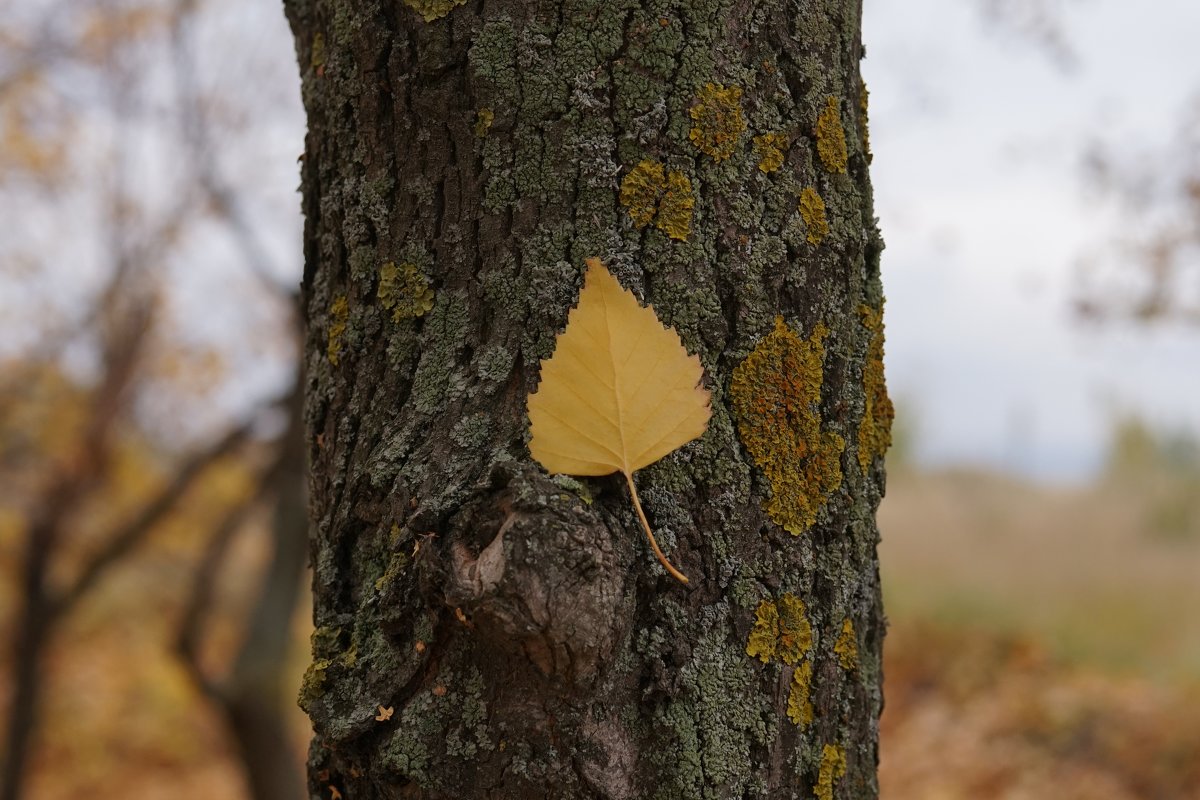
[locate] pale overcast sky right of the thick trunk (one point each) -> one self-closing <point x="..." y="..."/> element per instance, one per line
<point x="979" y="140"/>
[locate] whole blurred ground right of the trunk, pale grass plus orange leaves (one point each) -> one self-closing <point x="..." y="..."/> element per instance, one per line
<point x="1045" y="642"/>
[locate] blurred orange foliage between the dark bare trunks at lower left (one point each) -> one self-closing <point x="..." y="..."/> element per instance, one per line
<point x="119" y="708"/>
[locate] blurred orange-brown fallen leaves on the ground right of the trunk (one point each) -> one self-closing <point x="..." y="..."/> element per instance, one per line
<point x="980" y="715"/>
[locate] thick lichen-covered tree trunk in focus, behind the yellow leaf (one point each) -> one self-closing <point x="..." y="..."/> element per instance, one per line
<point x="485" y="630"/>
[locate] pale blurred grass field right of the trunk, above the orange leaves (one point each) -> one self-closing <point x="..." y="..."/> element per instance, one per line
<point x="1084" y="570"/>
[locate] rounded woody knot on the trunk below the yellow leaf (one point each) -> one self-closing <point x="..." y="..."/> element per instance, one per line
<point x="535" y="572"/>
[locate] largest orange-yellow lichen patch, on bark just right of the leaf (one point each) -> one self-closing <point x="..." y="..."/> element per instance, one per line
<point x="777" y="396"/>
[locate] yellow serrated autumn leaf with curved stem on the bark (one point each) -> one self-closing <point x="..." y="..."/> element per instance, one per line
<point x="619" y="394"/>
